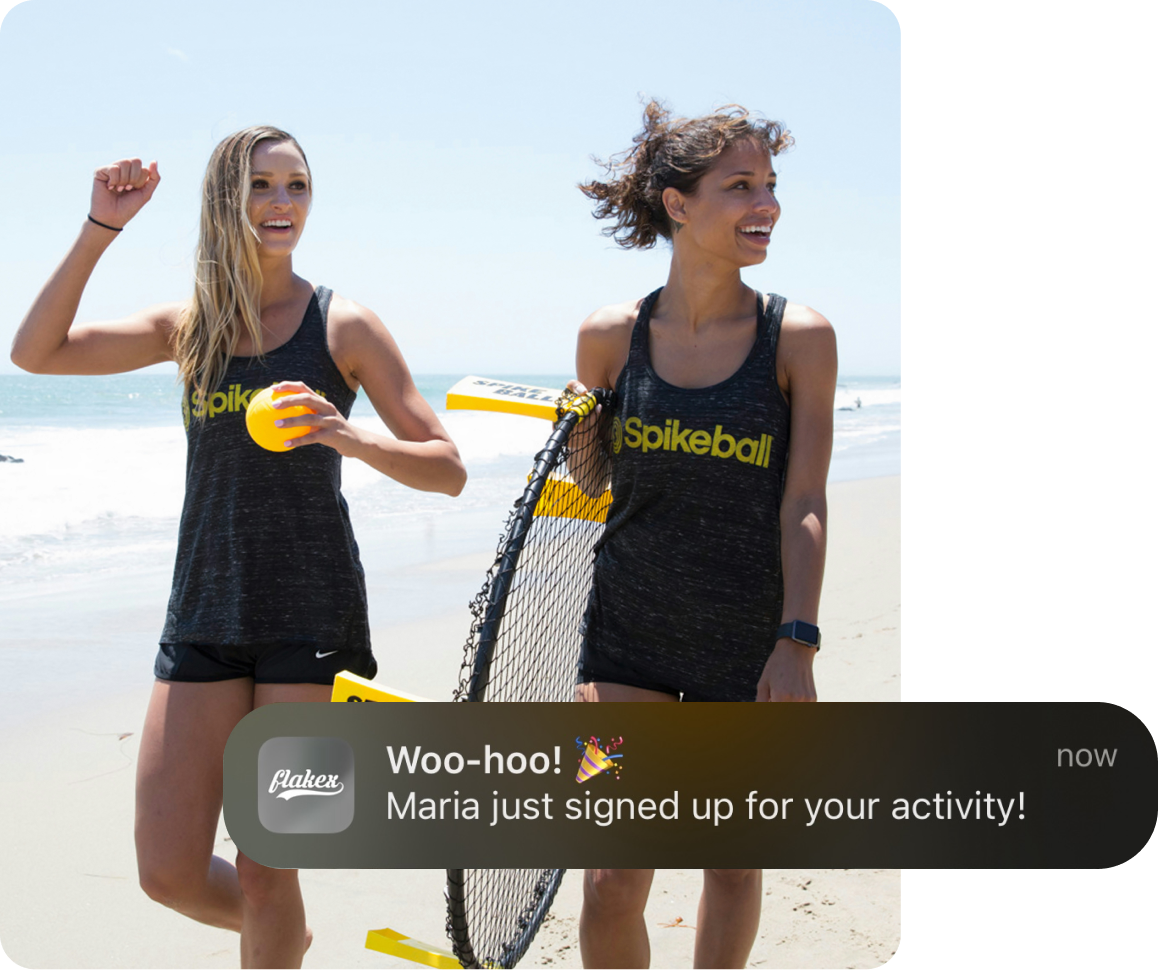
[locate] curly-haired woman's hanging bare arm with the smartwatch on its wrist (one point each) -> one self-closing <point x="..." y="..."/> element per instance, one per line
<point x="807" y="362"/>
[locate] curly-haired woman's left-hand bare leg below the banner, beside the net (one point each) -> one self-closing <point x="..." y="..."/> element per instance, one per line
<point x="612" y="931"/>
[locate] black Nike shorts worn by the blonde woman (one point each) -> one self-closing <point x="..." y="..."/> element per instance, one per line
<point x="267" y="664"/>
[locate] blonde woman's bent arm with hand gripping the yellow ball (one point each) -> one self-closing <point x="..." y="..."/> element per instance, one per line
<point x="422" y="454"/>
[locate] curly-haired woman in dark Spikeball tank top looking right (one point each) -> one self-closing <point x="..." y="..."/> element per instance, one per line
<point x="708" y="577"/>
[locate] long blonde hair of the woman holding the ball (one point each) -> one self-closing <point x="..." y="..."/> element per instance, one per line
<point x="228" y="277"/>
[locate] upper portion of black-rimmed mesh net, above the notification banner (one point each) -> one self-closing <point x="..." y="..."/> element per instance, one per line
<point x="525" y="638"/>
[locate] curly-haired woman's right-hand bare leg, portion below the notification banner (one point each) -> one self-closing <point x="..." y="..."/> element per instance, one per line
<point x="729" y="918"/>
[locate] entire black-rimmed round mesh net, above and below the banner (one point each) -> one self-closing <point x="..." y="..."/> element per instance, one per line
<point x="525" y="644"/>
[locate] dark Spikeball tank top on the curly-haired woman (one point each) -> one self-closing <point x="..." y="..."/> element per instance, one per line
<point x="688" y="587"/>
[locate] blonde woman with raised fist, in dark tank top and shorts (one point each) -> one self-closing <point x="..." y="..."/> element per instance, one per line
<point x="268" y="599"/>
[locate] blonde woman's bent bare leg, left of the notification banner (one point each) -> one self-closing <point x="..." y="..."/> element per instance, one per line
<point x="179" y="798"/>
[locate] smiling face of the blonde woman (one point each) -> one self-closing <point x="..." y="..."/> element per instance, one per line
<point x="280" y="195"/>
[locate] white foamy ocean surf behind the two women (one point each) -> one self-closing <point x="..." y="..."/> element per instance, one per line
<point x="102" y="483"/>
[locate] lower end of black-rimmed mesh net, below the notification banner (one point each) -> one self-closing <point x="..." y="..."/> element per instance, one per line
<point x="495" y="914"/>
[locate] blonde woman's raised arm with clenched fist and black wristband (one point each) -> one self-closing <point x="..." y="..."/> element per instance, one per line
<point x="47" y="342"/>
